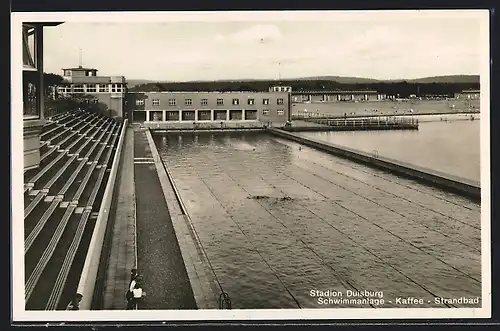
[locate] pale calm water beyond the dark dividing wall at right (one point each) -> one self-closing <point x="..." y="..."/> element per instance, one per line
<point x="452" y="147"/>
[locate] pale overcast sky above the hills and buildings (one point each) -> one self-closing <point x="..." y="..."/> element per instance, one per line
<point x="373" y="45"/>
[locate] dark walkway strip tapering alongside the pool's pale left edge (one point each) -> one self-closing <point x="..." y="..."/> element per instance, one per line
<point x="160" y="261"/>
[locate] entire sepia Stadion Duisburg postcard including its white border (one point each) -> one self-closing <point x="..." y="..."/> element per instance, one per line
<point x="250" y="165"/>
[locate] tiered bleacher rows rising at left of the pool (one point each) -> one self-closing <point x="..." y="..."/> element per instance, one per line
<point x="62" y="200"/>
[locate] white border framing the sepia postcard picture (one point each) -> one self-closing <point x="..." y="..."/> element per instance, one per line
<point x="19" y="314"/>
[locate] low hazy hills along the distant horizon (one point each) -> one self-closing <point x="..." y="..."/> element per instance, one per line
<point x="450" y="79"/>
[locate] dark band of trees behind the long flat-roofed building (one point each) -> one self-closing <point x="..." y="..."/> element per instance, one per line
<point x="403" y="89"/>
